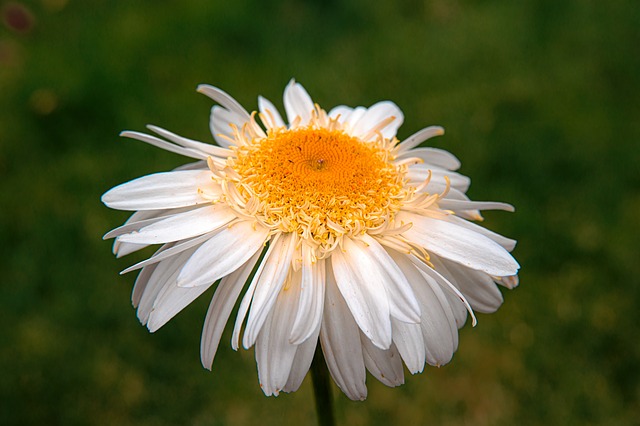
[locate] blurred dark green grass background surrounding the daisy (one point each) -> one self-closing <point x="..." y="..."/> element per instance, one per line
<point x="541" y="102"/>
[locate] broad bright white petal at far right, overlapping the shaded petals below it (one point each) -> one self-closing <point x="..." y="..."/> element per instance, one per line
<point x="459" y="244"/>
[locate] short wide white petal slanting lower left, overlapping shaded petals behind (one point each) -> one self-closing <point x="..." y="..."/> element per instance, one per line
<point x="223" y="253"/>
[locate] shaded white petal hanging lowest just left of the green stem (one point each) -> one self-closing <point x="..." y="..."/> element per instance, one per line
<point x="274" y="353"/>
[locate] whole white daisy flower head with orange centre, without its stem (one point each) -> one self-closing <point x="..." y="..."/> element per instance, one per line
<point x="326" y="229"/>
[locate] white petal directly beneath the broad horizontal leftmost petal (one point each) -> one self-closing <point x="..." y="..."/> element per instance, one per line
<point x="182" y="226"/>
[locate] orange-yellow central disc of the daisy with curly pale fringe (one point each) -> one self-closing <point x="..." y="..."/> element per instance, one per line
<point x="318" y="182"/>
